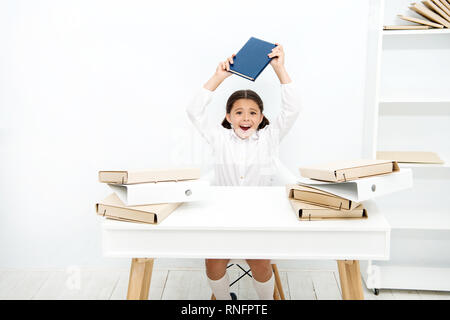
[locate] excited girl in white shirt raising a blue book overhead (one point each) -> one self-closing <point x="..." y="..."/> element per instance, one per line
<point x="245" y="152"/>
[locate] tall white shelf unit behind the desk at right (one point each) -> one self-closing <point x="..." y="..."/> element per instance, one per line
<point x="408" y="109"/>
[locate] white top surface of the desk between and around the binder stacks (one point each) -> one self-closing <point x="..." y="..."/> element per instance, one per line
<point x="250" y="208"/>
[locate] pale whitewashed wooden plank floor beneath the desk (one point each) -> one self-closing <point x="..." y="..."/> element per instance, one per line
<point x="181" y="284"/>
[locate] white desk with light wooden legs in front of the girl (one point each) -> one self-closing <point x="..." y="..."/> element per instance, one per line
<point x="249" y="223"/>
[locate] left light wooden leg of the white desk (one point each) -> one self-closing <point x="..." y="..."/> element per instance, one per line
<point x="140" y="276"/>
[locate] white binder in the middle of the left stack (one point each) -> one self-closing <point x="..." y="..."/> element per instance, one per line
<point x="161" y="192"/>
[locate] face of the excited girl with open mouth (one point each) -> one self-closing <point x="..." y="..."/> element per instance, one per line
<point x="245" y="117"/>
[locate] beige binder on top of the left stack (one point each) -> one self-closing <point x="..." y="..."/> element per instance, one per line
<point x="151" y="175"/>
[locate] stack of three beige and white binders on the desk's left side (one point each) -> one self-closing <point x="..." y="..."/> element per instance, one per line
<point x="149" y="196"/>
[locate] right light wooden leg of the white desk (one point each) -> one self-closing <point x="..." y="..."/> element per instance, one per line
<point x="350" y="276"/>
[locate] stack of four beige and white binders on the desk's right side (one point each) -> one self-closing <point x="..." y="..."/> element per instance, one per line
<point x="337" y="190"/>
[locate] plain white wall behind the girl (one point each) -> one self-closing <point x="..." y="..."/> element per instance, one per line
<point x="91" y="85"/>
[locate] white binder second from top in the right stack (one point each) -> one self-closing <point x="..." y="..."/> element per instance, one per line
<point x="365" y="188"/>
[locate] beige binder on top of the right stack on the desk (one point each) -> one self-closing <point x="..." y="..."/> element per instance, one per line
<point x="348" y="170"/>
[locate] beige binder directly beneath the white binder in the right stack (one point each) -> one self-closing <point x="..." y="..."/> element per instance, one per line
<point x="319" y="197"/>
